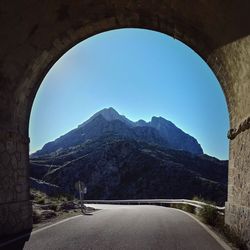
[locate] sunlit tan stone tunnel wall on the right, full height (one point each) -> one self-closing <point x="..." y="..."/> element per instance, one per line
<point x="235" y="76"/>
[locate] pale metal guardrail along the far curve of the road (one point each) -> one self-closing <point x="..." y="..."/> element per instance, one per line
<point x="161" y="202"/>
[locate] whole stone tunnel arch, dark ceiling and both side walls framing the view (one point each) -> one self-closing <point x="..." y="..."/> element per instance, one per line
<point x="35" y="36"/>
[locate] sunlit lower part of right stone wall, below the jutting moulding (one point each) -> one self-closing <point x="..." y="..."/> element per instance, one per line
<point x="237" y="214"/>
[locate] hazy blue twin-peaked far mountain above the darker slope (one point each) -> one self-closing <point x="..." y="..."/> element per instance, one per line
<point x="108" y="121"/>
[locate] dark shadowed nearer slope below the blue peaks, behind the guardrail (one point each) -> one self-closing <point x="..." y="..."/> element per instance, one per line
<point x="114" y="167"/>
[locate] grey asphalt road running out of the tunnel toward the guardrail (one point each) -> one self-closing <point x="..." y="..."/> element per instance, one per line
<point x="125" y="227"/>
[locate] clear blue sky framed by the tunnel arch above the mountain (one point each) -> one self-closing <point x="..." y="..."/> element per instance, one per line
<point x="141" y="74"/>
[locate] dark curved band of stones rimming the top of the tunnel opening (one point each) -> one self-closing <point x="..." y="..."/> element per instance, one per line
<point x="62" y="44"/>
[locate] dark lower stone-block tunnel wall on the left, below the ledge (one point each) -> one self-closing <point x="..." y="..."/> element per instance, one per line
<point x="15" y="206"/>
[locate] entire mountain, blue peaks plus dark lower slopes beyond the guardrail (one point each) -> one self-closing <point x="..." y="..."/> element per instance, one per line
<point x="121" y="159"/>
